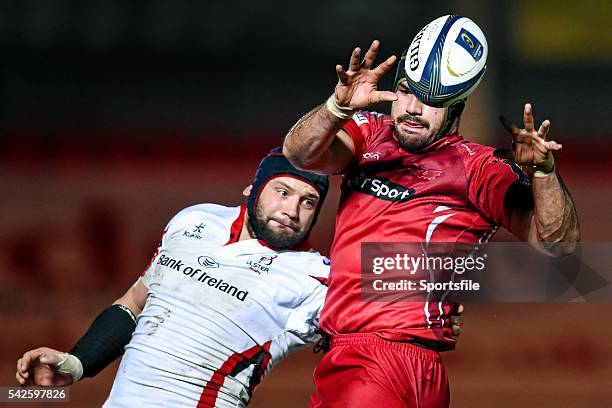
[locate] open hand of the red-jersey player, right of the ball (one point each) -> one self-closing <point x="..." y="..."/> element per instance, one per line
<point x="529" y="147"/>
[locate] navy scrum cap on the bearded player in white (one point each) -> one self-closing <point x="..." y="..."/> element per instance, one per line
<point x="275" y="164"/>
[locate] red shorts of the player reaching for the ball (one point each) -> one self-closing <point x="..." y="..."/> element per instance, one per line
<point x="364" y="370"/>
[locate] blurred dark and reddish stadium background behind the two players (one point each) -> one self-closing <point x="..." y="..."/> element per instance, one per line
<point x="116" y="114"/>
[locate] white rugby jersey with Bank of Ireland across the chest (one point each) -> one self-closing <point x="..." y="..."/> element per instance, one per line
<point x="219" y="314"/>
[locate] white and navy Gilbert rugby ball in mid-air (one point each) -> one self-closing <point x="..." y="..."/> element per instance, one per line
<point x="446" y="60"/>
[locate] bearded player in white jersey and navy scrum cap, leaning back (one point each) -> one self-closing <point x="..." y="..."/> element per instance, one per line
<point x="229" y="293"/>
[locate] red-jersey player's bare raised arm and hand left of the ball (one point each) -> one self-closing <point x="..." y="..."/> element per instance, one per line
<point x="316" y="142"/>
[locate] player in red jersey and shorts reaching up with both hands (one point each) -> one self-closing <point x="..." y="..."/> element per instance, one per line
<point x="411" y="177"/>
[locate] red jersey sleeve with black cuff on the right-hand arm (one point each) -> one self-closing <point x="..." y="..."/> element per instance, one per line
<point x="491" y="180"/>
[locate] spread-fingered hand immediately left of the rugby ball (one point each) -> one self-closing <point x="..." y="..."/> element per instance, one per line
<point x="357" y="87"/>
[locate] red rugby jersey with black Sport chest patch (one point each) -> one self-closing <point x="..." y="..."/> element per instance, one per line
<point x="451" y="191"/>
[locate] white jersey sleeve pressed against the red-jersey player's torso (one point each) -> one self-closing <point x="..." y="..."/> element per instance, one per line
<point x="303" y="320"/>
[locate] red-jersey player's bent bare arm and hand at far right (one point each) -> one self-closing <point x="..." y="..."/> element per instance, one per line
<point x="552" y="226"/>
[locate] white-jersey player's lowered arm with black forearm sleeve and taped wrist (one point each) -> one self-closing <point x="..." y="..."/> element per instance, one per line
<point x="102" y="344"/>
